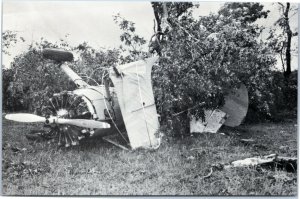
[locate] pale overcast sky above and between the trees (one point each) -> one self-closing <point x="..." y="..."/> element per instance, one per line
<point x="91" y="21"/>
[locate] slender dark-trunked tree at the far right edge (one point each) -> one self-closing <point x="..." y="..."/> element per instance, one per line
<point x="280" y="41"/>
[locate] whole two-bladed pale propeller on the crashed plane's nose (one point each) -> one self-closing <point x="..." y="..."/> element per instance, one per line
<point x="26" y="117"/>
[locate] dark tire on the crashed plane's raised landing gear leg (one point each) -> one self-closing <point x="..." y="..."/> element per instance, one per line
<point x="57" y="55"/>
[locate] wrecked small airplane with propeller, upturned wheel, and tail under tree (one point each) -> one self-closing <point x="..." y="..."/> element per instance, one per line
<point x="127" y="110"/>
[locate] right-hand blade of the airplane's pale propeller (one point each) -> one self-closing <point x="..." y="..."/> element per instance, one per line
<point x="84" y="123"/>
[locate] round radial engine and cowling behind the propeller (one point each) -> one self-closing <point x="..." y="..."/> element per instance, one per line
<point x="85" y="103"/>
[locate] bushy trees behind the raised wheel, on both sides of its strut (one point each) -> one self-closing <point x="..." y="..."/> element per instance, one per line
<point x="35" y="79"/>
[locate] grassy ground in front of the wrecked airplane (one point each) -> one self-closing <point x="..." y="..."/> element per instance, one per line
<point x="99" y="168"/>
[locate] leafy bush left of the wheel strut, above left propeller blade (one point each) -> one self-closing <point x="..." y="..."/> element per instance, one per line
<point x="35" y="79"/>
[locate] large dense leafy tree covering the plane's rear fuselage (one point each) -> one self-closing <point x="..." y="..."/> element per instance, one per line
<point x="202" y="60"/>
